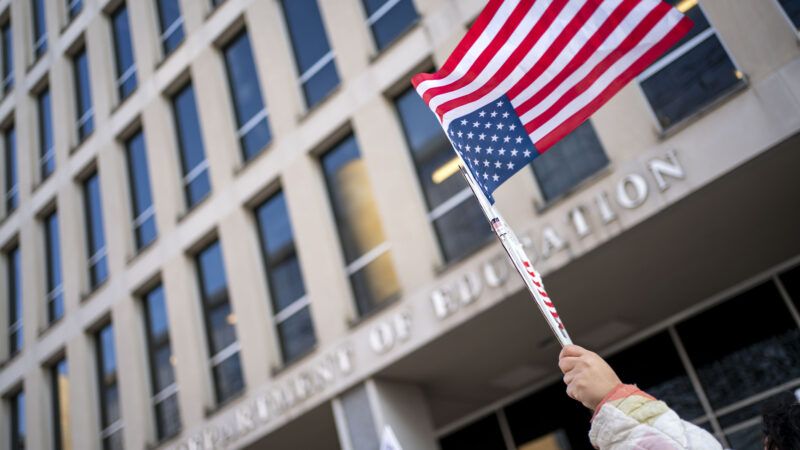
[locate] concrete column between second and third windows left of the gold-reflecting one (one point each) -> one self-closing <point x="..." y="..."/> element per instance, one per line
<point x="187" y="335"/>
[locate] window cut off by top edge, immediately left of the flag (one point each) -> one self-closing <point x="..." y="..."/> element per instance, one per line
<point x="388" y="19"/>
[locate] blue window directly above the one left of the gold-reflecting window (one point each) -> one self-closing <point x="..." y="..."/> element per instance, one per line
<point x="251" y="114"/>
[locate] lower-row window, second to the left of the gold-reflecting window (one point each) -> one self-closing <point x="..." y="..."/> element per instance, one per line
<point x="220" y="320"/>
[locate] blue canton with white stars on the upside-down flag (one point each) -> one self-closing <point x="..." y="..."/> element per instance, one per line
<point x="493" y="142"/>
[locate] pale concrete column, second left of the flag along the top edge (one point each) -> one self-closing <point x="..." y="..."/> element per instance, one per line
<point x="272" y="52"/>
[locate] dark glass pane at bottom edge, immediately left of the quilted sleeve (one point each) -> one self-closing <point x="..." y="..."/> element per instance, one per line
<point x="549" y="413"/>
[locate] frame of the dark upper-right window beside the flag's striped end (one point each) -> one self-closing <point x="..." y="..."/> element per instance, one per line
<point x="674" y="55"/>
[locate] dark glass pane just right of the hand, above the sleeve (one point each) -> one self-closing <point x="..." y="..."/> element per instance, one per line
<point x="664" y="377"/>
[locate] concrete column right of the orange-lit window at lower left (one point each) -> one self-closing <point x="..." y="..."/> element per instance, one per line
<point x="84" y="408"/>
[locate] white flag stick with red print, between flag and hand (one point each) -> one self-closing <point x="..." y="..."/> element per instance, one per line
<point x="518" y="257"/>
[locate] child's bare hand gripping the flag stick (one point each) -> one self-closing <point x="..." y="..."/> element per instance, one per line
<point x="588" y="377"/>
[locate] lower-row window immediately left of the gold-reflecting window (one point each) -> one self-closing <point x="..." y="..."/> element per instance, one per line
<point x="290" y="305"/>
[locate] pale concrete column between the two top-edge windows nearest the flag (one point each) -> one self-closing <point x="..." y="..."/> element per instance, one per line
<point x="349" y="36"/>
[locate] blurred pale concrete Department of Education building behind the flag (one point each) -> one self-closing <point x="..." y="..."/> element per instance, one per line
<point x="231" y="224"/>
